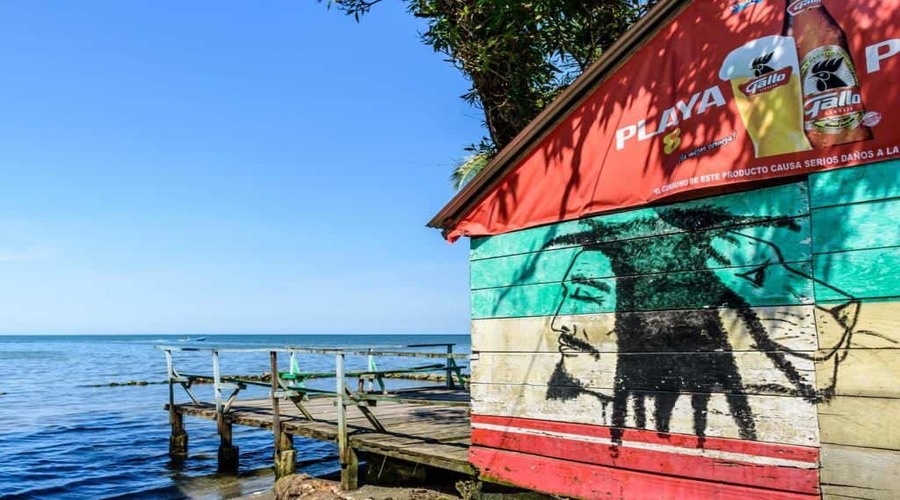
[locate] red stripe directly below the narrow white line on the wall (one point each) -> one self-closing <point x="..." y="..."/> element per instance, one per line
<point x="687" y="466"/>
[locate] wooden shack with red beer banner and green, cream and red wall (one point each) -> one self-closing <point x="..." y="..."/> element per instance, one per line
<point x="684" y="272"/>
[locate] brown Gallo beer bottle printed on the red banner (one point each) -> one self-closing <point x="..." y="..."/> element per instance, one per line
<point x="832" y="103"/>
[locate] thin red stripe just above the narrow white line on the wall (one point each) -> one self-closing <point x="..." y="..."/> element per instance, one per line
<point x="773" y="450"/>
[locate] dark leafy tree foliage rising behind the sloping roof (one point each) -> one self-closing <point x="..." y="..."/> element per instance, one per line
<point x="518" y="55"/>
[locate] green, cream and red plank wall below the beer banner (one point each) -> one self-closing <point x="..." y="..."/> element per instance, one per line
<point x="731" y="347"/>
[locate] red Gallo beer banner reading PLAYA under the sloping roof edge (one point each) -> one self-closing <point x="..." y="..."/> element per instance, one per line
<point x="729" y="91"/>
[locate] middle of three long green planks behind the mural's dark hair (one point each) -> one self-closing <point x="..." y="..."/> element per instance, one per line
<point x="739" y="246"/>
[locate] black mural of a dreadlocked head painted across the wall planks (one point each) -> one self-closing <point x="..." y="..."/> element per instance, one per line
<point x="680" y="303"/>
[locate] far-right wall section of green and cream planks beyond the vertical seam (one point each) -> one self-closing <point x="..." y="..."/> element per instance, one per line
<point x="856" y="253"/>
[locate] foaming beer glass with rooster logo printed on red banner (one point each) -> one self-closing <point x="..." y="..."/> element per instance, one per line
<point x="765" y="77"/>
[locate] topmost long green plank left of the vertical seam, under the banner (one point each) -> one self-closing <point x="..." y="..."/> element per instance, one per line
<point x="777" y="202"/>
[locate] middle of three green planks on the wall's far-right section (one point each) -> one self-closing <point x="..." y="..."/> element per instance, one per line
<point x="856" y="227"/>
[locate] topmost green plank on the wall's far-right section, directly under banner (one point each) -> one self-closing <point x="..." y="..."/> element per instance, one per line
<point x="852" y="185"/>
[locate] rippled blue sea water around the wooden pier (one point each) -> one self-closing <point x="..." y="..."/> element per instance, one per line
<point x="66" y="433"/>
